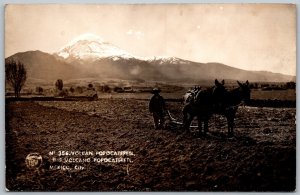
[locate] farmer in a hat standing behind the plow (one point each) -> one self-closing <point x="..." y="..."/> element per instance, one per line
<point x="157" y="107"/>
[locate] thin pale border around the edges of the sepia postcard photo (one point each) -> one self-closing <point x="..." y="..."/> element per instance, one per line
<point x="2" y="77"/>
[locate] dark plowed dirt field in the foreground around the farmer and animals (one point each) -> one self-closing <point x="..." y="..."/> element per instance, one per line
<point x="261" y="156"/>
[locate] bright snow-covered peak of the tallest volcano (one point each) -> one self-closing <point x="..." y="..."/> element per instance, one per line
<point x="90" y="46"/>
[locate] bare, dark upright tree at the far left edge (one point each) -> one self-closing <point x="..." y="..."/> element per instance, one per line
<point x="16" y="75"/>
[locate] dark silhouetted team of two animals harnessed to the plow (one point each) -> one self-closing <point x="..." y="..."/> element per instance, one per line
<point x="216" y="100"/>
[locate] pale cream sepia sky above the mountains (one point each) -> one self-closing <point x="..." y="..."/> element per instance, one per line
<point x="246" y="36"/>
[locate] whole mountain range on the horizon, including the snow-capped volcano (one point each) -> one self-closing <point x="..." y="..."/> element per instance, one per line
<point x="88" y="56"/>
